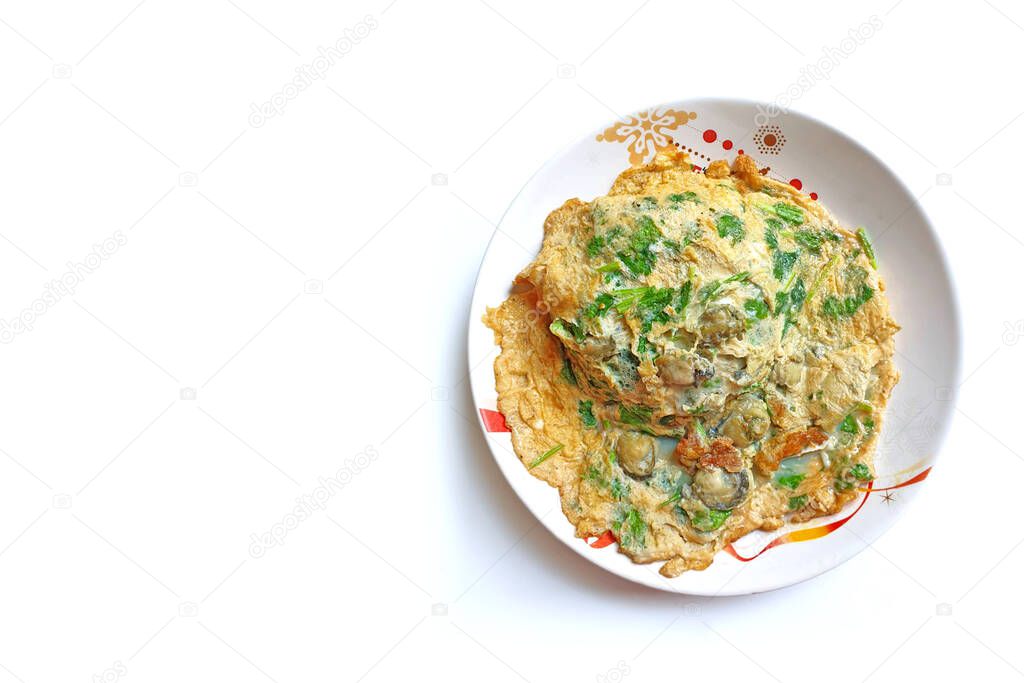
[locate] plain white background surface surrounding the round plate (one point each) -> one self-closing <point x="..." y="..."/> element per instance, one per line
<point x="129" y="511"/>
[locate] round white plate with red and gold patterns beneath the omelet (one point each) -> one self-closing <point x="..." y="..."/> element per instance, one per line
<point x="860" y="190"/>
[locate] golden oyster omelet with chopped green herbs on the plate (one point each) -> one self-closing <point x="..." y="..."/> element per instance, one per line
<point x="694" y="357"/>
